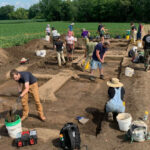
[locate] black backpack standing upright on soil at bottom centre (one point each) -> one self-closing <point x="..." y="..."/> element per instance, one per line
<point x="70" y="137"/>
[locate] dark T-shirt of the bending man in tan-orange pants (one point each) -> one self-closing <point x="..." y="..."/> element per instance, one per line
<point x="27" y="77"/>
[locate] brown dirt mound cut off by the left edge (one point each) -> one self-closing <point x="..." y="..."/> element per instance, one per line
<point x="3" y="57"/>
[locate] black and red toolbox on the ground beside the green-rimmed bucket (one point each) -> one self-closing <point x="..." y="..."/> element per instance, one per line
<point x="26" y="138"/>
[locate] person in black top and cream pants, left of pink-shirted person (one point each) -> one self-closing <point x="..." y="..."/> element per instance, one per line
<point x="60" y="54"/>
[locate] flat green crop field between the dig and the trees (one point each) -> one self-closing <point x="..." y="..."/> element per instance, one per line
<point x="19" y="32"/>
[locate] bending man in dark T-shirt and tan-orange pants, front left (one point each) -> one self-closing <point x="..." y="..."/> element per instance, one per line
<point x="27" y="83"/>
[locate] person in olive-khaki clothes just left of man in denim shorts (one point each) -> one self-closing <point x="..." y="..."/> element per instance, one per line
<point x="90" y="46"/>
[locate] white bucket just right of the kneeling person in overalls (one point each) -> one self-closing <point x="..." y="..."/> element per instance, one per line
<point x="124" y="121"/>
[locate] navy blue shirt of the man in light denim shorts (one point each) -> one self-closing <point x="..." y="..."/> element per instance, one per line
<point x="101" y="50"/>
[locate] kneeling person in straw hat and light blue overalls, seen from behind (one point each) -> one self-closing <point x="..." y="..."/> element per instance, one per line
<point x="116" y="103"/>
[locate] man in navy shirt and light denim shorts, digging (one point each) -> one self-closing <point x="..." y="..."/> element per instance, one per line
<point x="98" y="56"/>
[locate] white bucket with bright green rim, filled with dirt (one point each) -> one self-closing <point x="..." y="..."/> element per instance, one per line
<point x="14" y="128"/>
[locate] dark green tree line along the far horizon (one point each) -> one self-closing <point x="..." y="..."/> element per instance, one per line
<point x="82" y="11"/>
